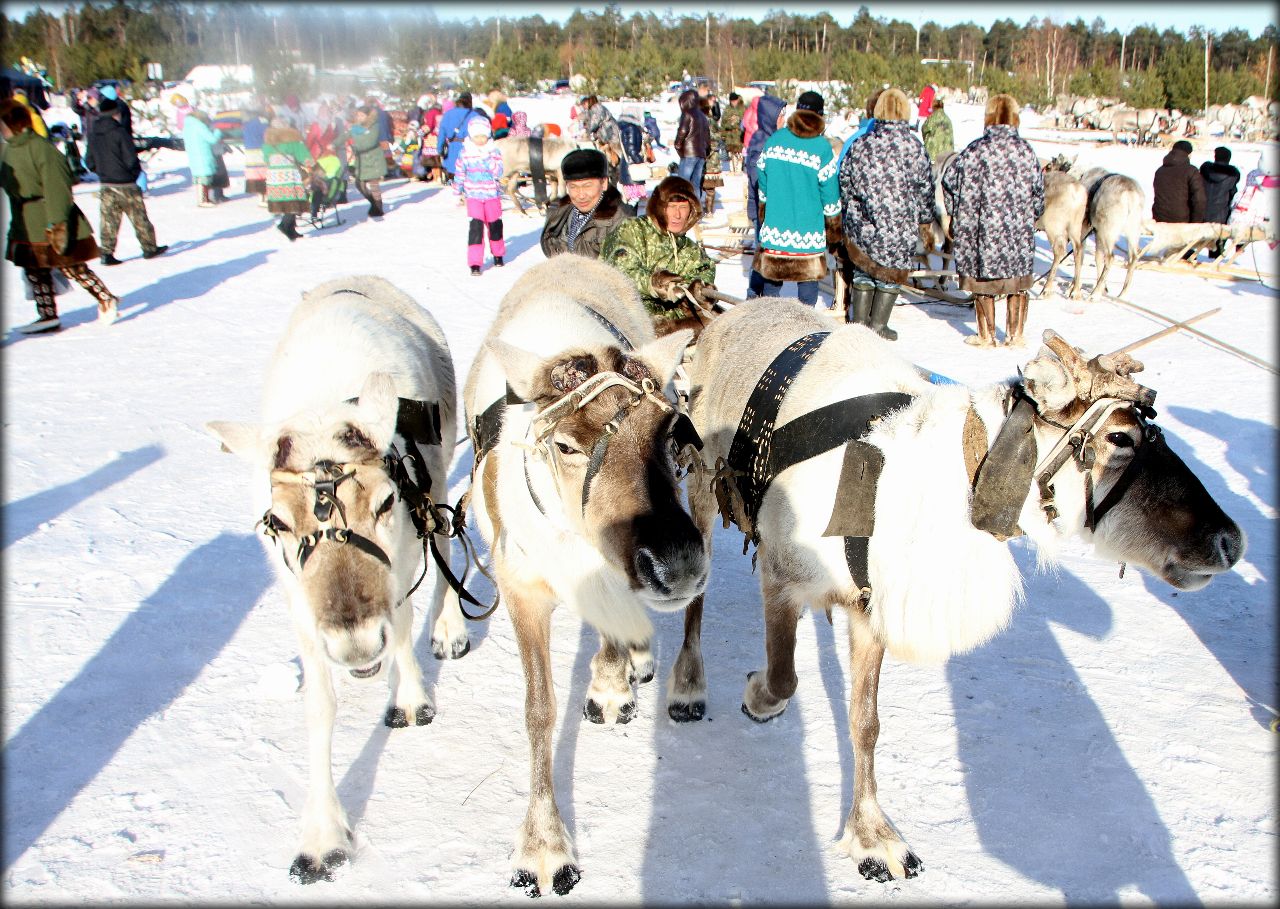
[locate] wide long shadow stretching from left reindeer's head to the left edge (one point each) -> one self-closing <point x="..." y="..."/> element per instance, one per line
<point x="60" y="752"/>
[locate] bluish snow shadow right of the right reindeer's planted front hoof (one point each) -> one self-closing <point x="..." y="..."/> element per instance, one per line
<point x="1050" y="789"/>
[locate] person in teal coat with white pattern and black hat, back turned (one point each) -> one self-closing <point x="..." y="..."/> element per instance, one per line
<point x="801" y="202"/>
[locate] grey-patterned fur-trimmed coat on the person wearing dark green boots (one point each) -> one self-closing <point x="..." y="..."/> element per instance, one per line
<point x="886" y="193"/>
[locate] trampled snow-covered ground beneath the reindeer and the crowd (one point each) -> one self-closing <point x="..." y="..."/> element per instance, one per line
<point x="1112" y="746"/>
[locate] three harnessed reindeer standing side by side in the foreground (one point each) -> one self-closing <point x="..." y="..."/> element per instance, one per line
<point x="862" y="485"/>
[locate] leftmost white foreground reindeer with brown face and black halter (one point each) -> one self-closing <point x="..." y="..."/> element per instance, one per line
<point x="349" y="462"/>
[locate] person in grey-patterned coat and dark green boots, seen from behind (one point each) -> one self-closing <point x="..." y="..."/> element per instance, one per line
<point x="886" y="194"/>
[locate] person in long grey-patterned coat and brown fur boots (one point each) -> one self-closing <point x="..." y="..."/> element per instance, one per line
<point x="995" y="191"/>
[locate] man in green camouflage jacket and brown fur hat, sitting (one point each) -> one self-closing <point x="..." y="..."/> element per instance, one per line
<point x="655" y="253"/>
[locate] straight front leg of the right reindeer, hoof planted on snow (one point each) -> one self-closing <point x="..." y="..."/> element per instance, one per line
<point x="870" y="839"/>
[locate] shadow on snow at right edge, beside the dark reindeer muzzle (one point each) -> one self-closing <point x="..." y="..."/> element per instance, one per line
<point x="1233" y="619"/>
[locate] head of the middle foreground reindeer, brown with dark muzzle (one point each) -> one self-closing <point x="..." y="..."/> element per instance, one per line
<point x="610" y="440"/>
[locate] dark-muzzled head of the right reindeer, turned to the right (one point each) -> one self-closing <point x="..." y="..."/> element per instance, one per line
<point x="1122" y="486"/>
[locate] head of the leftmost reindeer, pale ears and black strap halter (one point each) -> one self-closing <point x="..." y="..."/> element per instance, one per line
<point x="336" y="522"/>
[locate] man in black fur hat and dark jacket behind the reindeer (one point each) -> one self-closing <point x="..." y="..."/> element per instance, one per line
<point x="579" y="221"/>
